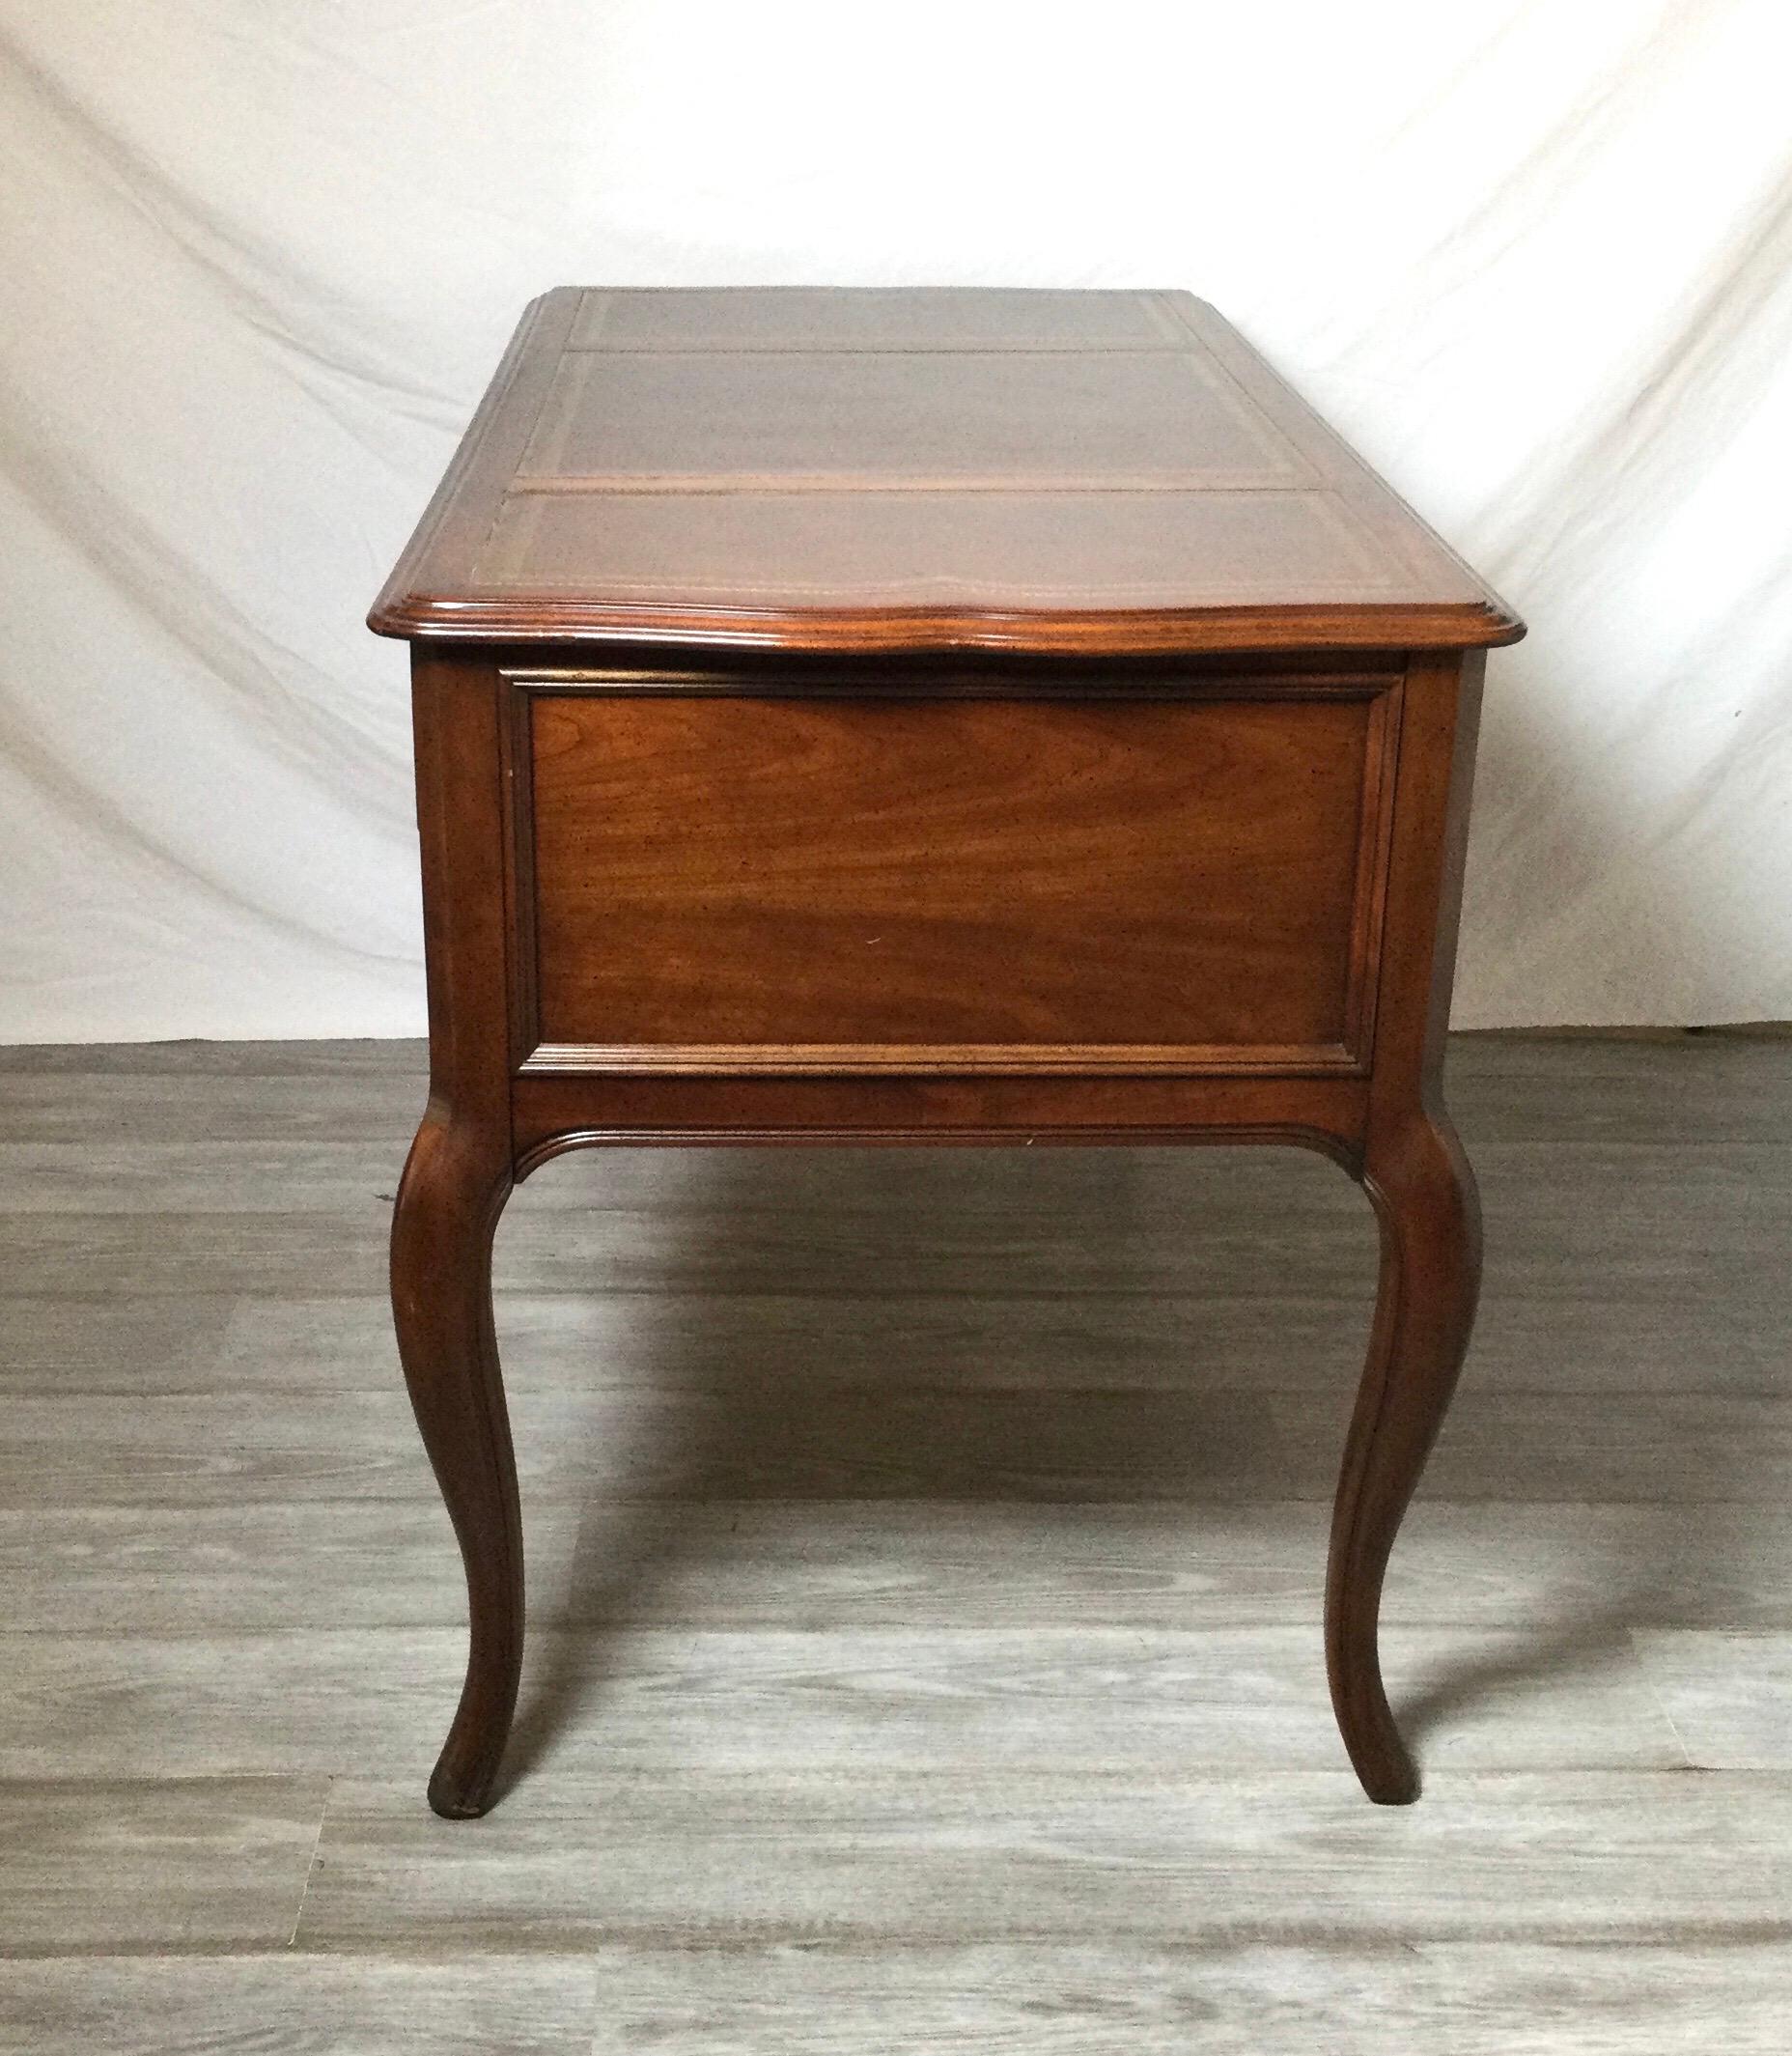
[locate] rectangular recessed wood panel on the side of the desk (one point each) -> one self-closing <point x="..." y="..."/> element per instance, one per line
<point x="969" y="883"/>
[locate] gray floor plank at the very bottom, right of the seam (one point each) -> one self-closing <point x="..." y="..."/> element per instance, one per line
<point x="1092" y="1999"/>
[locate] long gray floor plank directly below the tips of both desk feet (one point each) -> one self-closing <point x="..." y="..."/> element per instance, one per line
<point x="942" y="1856"/>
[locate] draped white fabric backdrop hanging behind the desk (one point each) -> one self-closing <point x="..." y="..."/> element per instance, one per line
<point x="260" y="256"/>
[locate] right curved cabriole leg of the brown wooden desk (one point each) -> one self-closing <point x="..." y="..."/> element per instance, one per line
<point x="1431" y="1268"/>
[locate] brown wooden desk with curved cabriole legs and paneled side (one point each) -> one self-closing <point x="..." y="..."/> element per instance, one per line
<point x="930" y="719"/>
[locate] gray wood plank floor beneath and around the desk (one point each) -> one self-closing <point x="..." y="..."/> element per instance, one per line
<point x="926" y="1574"/>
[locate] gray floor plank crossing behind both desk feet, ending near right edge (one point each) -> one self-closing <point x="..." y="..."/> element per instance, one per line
<point x="716" y="1699"/>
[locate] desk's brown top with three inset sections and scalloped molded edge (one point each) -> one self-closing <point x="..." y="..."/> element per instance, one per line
<point x="916" y="470"/>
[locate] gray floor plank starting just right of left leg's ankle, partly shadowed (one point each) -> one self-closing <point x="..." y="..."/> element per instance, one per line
<point x="1583" y="1572"/>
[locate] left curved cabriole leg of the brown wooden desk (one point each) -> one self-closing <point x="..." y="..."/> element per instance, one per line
<point x="447" y="1214"/>
